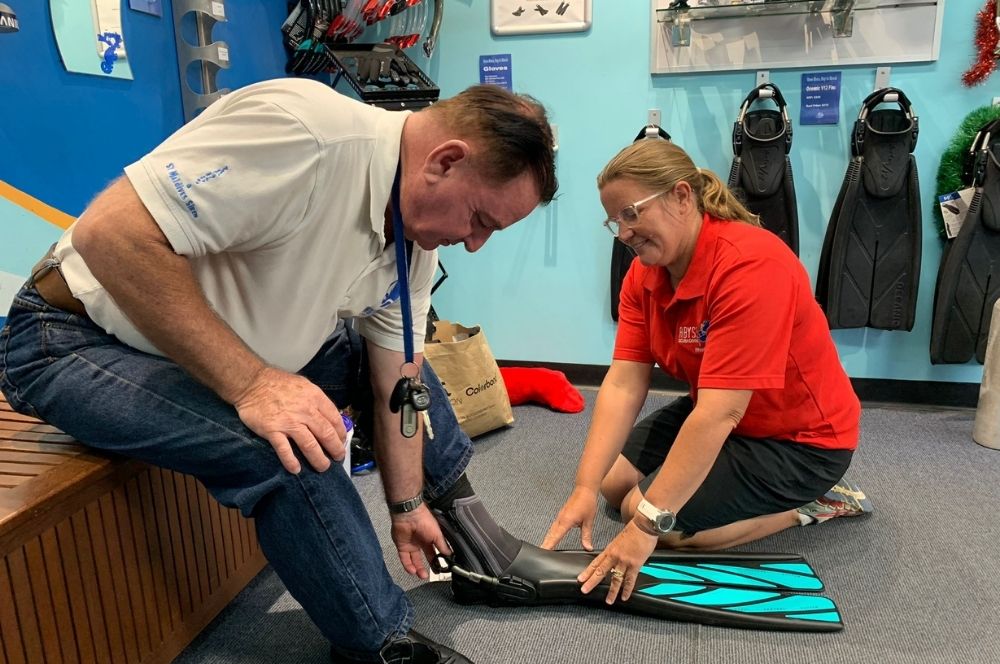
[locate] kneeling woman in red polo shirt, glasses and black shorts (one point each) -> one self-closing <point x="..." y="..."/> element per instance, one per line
<point x="771" y="421"/>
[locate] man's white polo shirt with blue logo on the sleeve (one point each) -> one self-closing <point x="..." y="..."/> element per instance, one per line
<point x="277" y="194"/>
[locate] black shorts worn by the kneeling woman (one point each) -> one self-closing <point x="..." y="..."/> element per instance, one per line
<point x="751" y="476"/>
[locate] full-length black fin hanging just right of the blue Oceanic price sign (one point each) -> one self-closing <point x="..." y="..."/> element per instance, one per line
<point x="870" y="264"/>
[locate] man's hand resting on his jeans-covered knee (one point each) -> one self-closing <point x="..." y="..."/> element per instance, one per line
<point x="285" y="408"/>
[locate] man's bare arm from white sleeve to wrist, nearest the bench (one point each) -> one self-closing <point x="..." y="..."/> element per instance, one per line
<point x="158" y="292"/>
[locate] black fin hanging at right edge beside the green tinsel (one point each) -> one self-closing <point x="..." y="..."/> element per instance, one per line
<point x="968" y="283"/>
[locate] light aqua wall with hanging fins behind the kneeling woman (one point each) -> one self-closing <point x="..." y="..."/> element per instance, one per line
<point x="540" y="290"/>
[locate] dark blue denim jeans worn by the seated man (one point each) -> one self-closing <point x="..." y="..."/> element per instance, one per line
<point x="312" y="527"/>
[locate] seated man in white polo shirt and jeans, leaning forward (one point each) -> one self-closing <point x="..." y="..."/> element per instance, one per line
<point x="193" y="318"/>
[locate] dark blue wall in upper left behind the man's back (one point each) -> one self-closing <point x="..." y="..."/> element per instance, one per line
<point x="64" y="136"/>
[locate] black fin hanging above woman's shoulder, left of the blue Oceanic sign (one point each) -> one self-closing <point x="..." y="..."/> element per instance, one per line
<point x="761" y="174"/>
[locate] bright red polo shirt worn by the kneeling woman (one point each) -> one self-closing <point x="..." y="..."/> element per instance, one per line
<point x="744" y="317"/>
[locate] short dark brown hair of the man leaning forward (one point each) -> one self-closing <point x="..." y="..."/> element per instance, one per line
<point x="512" y="129"/>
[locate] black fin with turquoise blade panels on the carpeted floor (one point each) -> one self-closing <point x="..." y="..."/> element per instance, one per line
<point x="727" y="590"/>
